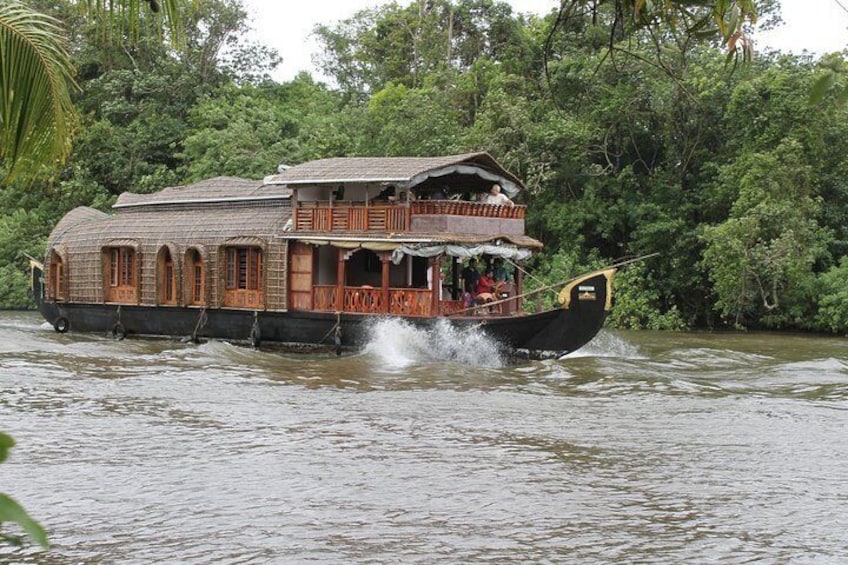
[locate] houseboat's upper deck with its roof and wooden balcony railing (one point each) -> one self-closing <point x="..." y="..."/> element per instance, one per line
<point x="403" y="195"/>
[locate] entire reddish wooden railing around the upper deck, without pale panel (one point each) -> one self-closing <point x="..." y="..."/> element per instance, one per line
<point x="345" y="216"/>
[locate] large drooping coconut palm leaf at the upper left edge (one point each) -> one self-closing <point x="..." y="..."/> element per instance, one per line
<point x="36" y="75"/>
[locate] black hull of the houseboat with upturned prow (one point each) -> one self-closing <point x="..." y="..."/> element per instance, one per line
<point x="551" y="333"/>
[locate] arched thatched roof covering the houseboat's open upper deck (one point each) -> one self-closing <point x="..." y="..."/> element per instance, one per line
<point x="474" y="170"/>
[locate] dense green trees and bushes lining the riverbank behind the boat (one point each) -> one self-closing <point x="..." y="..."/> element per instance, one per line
<point x="632" y="139"/>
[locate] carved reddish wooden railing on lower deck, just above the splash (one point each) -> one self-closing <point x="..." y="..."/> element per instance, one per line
<point x="369" y="300"/>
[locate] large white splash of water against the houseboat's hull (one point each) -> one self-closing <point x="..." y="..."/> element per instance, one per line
<point x="398" y="344"/>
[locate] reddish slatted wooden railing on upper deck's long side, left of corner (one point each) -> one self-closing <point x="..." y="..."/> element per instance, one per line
<point x="347" y="217"/>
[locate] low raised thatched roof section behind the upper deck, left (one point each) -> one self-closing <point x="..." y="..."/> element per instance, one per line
<point x="218" y="189"/>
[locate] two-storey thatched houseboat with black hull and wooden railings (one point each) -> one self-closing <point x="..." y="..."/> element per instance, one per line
<point x="311" y="256"/>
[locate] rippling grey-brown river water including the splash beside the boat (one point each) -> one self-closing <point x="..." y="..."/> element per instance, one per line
<point x="643" y="447"/>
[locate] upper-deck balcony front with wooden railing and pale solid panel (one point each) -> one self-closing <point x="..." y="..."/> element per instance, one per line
<point x="425" y="216"/>
